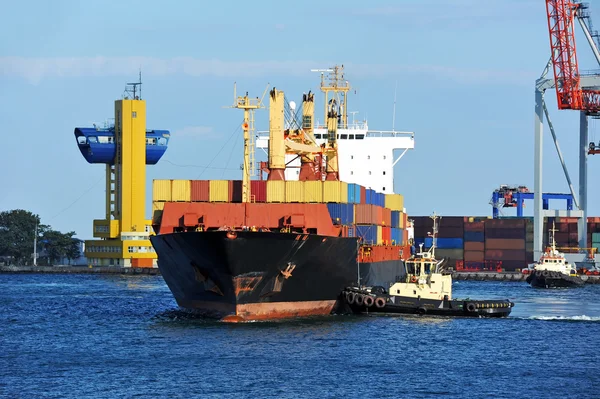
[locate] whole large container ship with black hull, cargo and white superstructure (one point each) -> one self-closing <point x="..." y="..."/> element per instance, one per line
<point x="325" y="217"/>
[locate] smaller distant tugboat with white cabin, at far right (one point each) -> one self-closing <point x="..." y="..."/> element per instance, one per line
<point x="552" y="270"/>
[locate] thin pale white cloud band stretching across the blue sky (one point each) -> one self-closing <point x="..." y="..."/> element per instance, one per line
<point x="36" y="69"/>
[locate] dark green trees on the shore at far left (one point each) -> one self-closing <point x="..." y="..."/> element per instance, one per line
<point x="17" y="233"/>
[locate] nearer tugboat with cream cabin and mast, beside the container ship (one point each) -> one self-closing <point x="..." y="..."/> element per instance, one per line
<point x="426" y="289"/>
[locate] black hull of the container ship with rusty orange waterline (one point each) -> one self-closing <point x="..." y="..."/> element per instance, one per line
<point x="245" y="275"/>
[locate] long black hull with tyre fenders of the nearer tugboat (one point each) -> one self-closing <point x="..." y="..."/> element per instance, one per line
<point x="390" y="304"/>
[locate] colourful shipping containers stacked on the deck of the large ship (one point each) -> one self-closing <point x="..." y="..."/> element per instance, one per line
<point x="377" y="218"/>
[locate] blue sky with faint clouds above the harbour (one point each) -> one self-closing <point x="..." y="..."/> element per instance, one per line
<point x="465" y="72"/>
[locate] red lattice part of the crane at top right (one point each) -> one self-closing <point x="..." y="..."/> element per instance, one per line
<point x="561" y="18"/>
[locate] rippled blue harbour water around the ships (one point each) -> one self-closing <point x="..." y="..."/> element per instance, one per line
<point x="91" y="336"/>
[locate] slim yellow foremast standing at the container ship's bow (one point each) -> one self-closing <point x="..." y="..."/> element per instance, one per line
<point x="248" y="105"/>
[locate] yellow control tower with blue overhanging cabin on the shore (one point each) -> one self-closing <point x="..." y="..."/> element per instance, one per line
<point x="122" y="238"/>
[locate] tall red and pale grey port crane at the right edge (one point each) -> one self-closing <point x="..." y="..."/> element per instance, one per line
<point x="574" y="91"/>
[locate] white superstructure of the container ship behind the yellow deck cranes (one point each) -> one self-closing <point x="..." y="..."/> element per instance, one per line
<point x="366" y="157"/>
